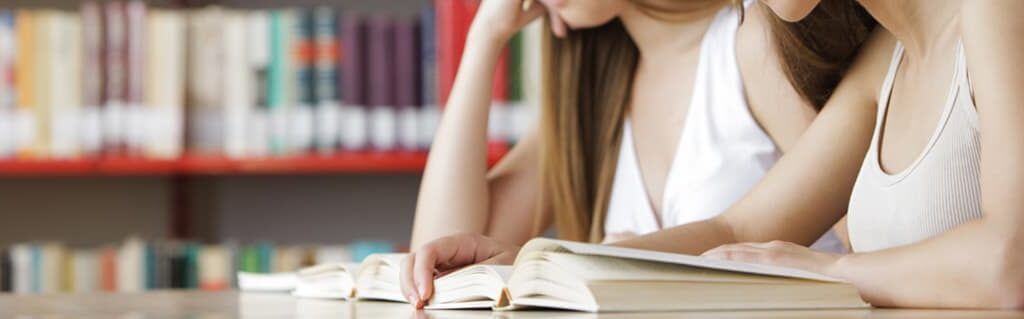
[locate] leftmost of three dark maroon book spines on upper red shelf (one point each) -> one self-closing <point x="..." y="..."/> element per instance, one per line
<point x="94" y="79"/>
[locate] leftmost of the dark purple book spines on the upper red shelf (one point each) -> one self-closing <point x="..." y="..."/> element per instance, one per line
<point x="354" y="133"/>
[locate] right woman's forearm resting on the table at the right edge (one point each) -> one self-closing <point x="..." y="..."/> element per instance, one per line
<point x="972" y="266"/>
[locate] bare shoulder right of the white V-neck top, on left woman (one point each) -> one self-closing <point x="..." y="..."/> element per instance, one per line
<point x="775" y="104"/>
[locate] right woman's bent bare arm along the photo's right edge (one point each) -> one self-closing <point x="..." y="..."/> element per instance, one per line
<point x="984" y="260"/>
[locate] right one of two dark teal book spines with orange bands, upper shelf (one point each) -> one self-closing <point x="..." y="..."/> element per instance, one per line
<point x="326" y="72"/>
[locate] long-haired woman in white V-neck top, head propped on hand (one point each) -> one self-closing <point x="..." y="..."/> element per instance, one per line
<point x="657" y="114"/>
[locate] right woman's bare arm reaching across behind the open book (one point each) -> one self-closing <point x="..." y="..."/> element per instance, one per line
<point x="808" y="191"/>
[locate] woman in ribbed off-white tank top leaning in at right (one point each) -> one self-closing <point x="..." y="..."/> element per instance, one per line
<point x="919" y="148"/>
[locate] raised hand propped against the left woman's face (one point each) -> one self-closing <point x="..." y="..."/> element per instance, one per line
<point x="498" y="21"/>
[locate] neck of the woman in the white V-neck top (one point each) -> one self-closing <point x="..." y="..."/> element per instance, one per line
<point x="663" y="36"/>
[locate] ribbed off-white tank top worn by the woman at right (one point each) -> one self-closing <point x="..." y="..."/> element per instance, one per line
<point x="940" y="191"/>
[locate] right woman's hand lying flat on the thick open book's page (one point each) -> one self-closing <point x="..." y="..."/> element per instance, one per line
<point x="780" y="254"/>
